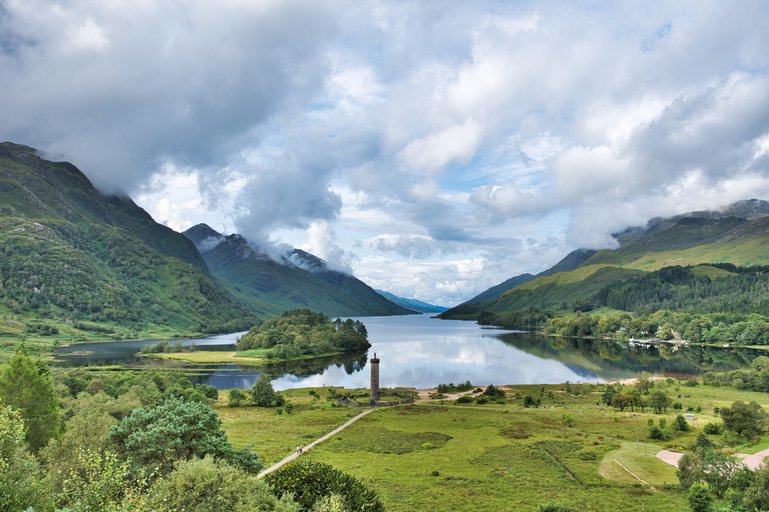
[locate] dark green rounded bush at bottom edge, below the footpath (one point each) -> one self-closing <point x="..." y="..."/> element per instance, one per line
<point x="310" y="481"/>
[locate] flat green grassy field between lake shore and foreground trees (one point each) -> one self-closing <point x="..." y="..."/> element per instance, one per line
<point x="442" y="456"/>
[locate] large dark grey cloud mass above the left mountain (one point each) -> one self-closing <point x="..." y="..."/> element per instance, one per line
<point x="123" y="87"/>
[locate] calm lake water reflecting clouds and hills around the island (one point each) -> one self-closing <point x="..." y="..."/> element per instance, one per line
<point x="422" y="352"/>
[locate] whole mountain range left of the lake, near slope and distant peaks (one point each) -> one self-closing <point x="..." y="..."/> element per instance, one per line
<point x="79" y="264"/>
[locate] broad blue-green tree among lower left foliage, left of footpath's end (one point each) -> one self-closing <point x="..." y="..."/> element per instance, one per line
<point x="176" y="430"/>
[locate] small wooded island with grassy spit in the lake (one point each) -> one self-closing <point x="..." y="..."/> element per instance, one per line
<point x="294" y="335"/>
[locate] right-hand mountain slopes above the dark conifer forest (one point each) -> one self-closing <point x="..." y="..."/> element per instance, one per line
<point x="737" y="234"/>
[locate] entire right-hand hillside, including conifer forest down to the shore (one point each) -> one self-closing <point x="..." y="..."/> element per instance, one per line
<point x="701" y="274"/>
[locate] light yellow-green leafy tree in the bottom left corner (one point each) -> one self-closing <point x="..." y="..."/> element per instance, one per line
<point x="21" y="478"/>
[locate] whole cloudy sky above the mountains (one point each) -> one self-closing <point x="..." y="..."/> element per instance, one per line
<point x="432" y="148"/>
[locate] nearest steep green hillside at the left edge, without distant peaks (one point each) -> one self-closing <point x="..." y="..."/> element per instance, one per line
<point x="76" y="264"/>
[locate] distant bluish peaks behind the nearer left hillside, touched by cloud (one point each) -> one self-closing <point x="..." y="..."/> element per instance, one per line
<point x="297" y="280"/>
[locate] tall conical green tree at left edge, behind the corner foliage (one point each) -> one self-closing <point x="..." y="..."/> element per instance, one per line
<point x="26" y="386"/>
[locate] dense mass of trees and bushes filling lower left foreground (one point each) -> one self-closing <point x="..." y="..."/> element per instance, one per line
<point x="75" y="441"/>
